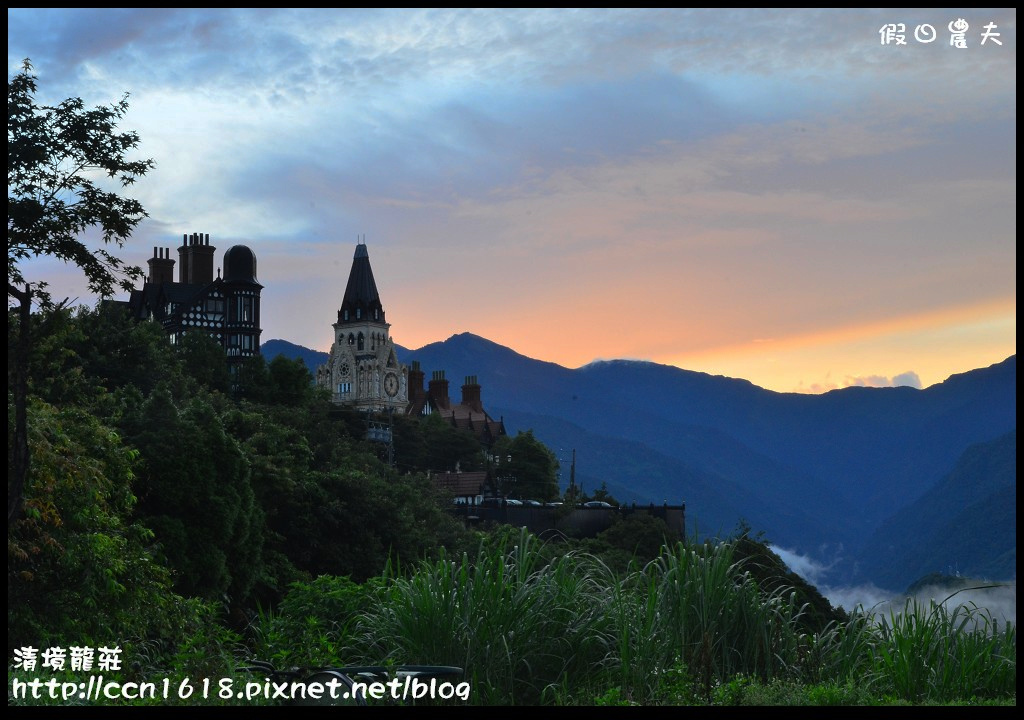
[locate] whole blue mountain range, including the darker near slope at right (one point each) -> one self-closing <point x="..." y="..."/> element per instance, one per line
<point x="838" y="477"/>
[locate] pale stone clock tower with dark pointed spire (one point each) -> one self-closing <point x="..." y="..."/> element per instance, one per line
<point x="363" y="370"/>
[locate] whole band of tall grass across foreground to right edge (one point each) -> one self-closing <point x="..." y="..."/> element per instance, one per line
<point x="531" y="627"/>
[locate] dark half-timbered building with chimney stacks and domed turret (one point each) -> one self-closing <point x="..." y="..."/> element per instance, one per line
<point x="225" y="308"/>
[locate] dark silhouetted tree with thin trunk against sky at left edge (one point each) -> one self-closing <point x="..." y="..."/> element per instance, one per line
<point x="57" y="159"/>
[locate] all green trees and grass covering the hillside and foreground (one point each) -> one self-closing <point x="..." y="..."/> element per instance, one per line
<point x="198" y="522"/>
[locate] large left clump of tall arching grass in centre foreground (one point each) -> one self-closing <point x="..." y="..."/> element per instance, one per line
<point x="519" y="625"/>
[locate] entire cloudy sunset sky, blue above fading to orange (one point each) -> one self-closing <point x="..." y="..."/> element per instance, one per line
<point x="770" y="195"/>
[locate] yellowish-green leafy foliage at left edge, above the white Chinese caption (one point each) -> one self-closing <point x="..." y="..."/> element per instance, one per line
<point x="79" y="568"/>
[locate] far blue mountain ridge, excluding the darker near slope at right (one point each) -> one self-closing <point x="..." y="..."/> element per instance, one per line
<point x="822" y="474"/>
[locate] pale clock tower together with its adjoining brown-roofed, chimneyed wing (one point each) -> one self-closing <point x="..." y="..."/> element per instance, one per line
<point x="363" y="369"/>
